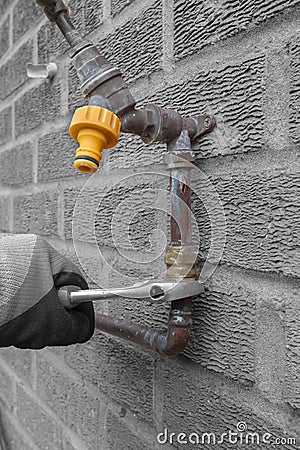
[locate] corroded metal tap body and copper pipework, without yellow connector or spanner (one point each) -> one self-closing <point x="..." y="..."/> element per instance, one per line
<point x="104" y="86"/>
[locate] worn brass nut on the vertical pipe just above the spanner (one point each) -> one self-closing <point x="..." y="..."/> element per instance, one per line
<point x="181" y="262"/>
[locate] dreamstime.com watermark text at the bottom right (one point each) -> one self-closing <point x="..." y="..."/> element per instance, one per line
<point x="240" y="436"/>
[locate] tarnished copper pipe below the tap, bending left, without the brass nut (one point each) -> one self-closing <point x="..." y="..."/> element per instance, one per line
<point x="172" y="341"/>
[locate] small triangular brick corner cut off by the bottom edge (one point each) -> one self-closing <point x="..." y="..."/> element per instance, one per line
<point x="118" y="436"/>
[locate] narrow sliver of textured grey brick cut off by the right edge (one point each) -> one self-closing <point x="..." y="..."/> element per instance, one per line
<point x="294" y="90"/>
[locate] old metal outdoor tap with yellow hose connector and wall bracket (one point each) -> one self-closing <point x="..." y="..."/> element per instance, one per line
<point x="111" y="107"/>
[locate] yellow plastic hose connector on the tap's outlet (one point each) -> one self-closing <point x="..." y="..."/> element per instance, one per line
<point x="94" y="128"/>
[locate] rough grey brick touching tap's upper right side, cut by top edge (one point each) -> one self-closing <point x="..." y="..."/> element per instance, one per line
<point x="136" y="47"/>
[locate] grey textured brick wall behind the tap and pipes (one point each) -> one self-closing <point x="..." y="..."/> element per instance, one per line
<point x="240" y="61"/>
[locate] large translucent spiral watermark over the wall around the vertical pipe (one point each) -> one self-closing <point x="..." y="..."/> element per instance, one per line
<point x="111" y="202"/>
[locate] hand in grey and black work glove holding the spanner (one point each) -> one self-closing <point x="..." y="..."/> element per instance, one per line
<point x="31" y="315"/>
